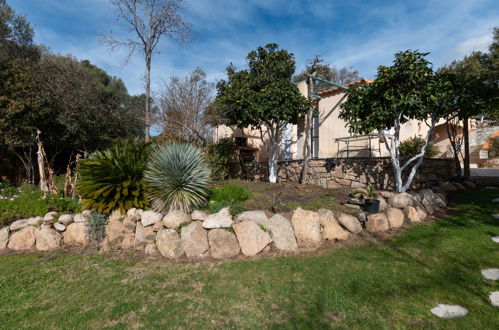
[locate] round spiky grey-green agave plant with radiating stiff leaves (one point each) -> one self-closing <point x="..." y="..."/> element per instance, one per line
<point x="178" y="177"/>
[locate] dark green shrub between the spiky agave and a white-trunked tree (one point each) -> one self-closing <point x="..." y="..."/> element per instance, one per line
<point x="220" y="156"/>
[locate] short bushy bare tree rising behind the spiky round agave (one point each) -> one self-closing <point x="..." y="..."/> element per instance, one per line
<point x="183" y="104"/>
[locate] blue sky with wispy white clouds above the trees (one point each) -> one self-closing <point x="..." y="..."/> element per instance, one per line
<point x="360" y="34"/>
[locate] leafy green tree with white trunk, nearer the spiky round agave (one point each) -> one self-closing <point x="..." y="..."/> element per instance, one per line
<point x="264" y="97"/>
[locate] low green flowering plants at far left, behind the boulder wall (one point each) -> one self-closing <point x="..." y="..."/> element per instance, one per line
<point x="28" y="201"/>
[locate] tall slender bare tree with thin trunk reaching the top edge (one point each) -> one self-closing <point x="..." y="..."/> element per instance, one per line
<point x="149" y="20"/>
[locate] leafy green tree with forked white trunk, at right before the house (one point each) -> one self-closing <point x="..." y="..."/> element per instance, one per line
<point x="406" y="90"/>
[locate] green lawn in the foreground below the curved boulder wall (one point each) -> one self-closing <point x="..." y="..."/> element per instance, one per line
<point x="393" y="284"/>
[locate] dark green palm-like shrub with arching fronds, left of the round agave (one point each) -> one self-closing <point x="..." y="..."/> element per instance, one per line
<point x="113" y="178"/>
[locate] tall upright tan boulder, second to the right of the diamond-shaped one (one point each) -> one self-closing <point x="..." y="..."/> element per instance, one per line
<point x="306" y="225"/>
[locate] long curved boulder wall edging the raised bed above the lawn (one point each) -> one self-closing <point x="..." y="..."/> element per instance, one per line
<point x="218" y="236"/>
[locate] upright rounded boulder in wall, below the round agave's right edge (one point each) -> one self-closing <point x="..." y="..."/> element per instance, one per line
<point x="195" y="240"/>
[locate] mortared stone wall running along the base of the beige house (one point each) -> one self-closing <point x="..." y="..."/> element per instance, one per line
<point x="348" y="172"/>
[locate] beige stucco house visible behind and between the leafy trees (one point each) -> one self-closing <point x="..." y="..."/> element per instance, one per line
<point x="329" y="135"/>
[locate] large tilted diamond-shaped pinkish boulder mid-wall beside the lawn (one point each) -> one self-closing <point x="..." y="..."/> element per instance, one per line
<point x="251" y="237"/>
